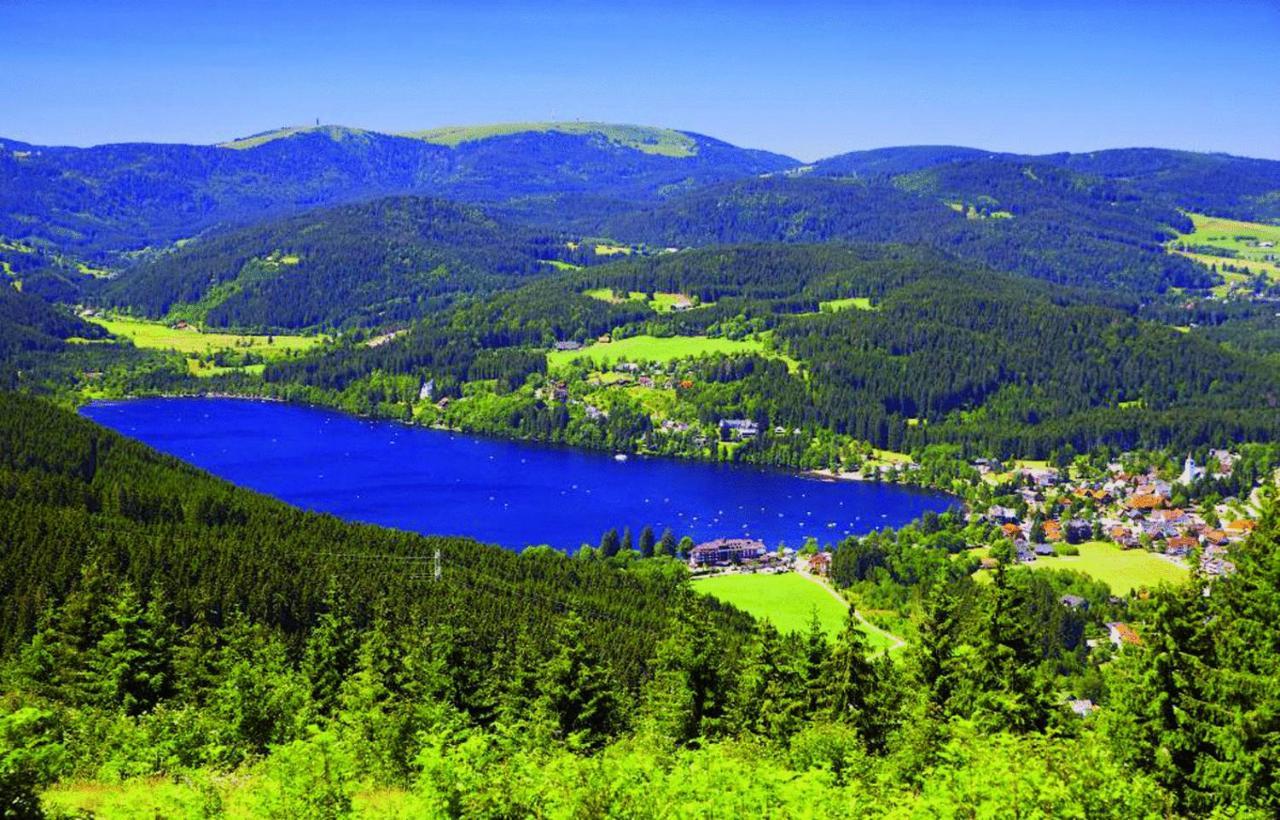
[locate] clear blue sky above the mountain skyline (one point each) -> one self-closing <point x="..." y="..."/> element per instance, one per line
<point x="808" y="79"/>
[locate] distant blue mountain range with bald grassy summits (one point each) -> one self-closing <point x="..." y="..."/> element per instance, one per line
<point x="127" y="196"/>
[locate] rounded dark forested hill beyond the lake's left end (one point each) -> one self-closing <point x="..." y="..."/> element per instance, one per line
<point x="377" y="263"/>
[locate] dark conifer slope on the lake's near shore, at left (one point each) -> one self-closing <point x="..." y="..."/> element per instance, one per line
<point x="85" y="510"/>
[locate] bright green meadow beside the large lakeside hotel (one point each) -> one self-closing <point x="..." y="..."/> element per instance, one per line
<point x="787" y="601"/>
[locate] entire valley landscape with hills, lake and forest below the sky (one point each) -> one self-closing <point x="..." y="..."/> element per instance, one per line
<point x="575" y="469"/>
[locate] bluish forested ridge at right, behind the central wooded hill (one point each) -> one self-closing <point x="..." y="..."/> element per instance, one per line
<point x="1044" y="222"/>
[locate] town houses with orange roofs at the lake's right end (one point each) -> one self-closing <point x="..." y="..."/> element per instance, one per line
<point x="1133" y="511"/>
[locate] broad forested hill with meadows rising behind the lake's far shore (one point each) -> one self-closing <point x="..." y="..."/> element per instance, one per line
<point x="940" y="351"/>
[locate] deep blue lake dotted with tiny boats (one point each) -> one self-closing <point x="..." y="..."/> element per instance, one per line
<point x="500" y="492"/>
